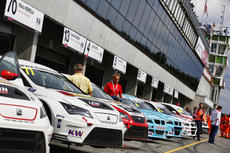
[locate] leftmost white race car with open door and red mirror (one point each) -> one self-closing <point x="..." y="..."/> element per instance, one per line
<point x="24" y="125"/>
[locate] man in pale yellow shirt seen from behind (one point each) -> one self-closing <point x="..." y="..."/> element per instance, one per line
<point x="80" y="80"/>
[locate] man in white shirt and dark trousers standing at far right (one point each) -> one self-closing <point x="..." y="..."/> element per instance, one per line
<point x="215" y="122"/>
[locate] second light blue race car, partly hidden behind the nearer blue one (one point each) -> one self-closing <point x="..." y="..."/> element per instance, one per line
<point x="161" y="110"/>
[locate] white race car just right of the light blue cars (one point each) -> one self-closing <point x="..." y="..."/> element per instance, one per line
<point x="189" y="126"/>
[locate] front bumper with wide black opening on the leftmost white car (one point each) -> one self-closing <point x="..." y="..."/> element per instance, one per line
<point x="25" y="137"/>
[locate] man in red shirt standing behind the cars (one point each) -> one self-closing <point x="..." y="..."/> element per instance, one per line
<point x="113" y="88"/>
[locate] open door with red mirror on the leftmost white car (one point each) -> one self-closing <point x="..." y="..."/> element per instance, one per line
<point x="9" y="68"/>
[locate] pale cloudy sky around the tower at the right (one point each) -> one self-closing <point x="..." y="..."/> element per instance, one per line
<point x="214" y="13"/>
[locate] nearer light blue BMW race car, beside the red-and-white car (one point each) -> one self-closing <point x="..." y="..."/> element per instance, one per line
<point x="158" y="127"/>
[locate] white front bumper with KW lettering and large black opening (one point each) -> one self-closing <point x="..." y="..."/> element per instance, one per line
<point x="80" y="132"/>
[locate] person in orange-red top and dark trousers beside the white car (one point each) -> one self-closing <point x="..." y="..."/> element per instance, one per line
<point x="198" y="119"/>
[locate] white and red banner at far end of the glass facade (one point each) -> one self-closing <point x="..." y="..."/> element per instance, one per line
<point x="201" y="51"/>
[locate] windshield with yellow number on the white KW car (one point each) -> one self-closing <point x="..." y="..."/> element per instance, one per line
<point x="51" y="80"/>
